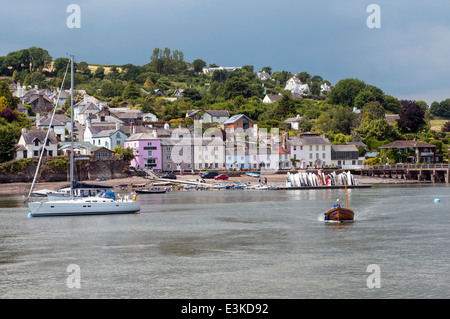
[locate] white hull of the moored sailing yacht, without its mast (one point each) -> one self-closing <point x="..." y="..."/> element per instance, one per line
<point x="82" y="207"/>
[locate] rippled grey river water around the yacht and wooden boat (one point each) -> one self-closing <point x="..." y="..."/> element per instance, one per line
<point x="235" y="244"/>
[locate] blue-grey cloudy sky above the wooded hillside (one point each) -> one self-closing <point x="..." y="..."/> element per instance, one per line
<point x="407" y="55"/>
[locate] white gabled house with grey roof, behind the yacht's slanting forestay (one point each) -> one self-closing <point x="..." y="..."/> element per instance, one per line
<point x="31" y="143"/>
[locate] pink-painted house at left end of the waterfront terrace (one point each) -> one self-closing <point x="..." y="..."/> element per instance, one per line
<point x="147" y="151"/>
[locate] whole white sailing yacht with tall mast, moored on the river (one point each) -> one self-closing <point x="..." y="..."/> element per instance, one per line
<point x="104" y="203"/>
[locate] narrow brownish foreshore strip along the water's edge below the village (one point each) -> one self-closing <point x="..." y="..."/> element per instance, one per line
<point x="272" y="180"/>
